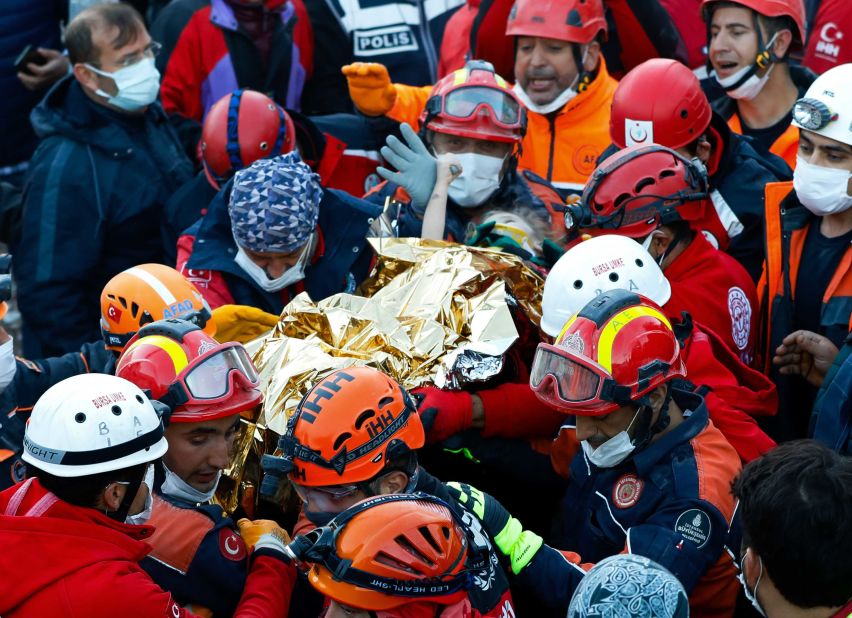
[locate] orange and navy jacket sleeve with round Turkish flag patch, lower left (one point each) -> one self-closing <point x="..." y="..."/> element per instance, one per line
<point x="197" y="555"/>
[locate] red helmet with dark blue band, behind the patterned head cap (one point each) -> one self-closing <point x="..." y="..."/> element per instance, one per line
<point x="241" y="128"/>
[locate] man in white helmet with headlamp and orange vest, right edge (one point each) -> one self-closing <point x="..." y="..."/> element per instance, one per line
<point x="807" y="280"/>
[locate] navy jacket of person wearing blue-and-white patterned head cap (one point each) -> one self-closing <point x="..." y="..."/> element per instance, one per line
<point x="344" y="223"/>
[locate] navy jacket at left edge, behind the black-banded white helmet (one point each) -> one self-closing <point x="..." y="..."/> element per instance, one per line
<point x="31" y="379"/>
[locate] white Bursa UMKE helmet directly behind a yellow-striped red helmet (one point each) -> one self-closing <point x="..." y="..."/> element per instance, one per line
<point x="593" y="267"/>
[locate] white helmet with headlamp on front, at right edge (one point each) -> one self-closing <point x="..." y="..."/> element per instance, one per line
<point x="826" y="108"/>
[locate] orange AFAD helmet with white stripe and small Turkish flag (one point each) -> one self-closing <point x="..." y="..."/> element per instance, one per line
<point x="147" y="293"/>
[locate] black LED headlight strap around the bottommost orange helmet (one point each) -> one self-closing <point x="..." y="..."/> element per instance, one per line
<point x="323" y="552"/>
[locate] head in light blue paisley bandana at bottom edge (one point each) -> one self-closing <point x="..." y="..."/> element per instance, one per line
<point x="627" y="584"/>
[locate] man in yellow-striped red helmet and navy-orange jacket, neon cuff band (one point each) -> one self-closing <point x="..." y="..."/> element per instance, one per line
<point x="654" y="474"/>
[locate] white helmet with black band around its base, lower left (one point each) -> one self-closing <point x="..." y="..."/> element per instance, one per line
<point x="92" y="423"/>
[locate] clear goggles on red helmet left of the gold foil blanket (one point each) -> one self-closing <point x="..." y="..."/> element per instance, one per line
<point x="210" y="377"/>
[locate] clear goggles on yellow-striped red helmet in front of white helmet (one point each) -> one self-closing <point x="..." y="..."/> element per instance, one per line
<point x="573" y="382"/>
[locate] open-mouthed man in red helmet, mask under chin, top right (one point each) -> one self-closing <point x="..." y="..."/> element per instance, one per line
<point x="749" y="43"/>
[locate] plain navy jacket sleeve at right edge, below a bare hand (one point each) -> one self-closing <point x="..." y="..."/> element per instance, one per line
<point x="831" y="422"/>
